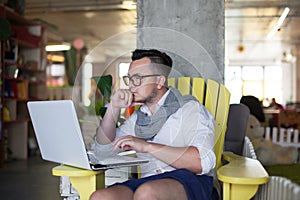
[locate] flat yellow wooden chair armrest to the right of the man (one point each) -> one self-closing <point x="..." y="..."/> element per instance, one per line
<point x="242" y="170"/>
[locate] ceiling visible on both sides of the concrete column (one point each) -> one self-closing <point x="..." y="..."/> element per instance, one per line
<point x="247" y="23"/>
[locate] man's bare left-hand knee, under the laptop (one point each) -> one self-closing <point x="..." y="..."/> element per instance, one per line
<point x="113" y="193"/>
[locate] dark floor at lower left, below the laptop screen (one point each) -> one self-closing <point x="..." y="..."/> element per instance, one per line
<point x="28" y="180"/>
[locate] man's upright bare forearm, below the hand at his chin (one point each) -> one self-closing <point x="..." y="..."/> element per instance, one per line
<point x="107" y="130"/>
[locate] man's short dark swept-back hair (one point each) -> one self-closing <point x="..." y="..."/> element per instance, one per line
<point x="156" y="57"/>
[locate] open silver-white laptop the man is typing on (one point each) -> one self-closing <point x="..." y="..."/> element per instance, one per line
<point x="60" y="139"/>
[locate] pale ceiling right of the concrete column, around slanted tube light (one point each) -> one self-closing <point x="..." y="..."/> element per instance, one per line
<point x="247" y="24"/>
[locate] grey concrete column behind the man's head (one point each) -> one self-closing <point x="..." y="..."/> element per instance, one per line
<point x="192" y="31"/>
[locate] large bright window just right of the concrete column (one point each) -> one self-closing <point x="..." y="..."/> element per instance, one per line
<point x="263" y="82"/>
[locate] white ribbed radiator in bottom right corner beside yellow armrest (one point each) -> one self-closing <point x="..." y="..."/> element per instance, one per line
<point x="278" y="188"/>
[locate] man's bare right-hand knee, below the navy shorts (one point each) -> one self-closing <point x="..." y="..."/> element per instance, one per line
<point x="163" y="189"/>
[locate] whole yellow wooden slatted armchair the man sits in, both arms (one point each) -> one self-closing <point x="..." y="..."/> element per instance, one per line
<point x="241" y="177"/>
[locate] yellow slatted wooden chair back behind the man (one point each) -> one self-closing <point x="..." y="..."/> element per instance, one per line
<point x="215" y="97"/>
